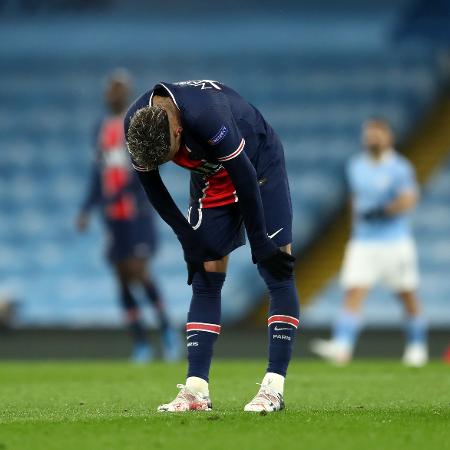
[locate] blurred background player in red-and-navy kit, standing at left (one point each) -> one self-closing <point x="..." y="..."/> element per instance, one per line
<point x="131" y="236"/>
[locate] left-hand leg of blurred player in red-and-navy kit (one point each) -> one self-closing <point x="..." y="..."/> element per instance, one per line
<point x="142" y="351"/>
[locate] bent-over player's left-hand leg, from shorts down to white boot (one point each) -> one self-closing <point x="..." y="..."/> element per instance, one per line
<point x="222" y="229"/>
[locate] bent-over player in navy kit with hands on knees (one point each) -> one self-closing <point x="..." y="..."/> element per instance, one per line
<point x="238" y="179"/>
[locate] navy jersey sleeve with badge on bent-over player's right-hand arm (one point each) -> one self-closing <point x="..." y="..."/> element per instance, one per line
<point x="217" y="128"/>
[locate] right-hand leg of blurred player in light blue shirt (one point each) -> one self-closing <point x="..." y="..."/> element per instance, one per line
<point x="416" y="350"/>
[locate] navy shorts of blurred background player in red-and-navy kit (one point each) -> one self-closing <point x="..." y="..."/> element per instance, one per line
<point x="129" y="239"/>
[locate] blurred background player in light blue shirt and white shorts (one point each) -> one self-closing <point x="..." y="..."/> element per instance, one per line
<point x="382" y="249"/>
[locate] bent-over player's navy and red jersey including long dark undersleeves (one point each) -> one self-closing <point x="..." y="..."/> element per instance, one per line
<point x="228" y="147"/>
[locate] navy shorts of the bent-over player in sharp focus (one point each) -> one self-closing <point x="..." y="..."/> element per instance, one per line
<point x="222" y="228"/>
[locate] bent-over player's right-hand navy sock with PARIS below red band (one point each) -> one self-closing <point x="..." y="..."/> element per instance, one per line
<point x="282" y="322"/>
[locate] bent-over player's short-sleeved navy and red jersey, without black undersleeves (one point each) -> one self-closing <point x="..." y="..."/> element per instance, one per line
<point x="218" y="124"/>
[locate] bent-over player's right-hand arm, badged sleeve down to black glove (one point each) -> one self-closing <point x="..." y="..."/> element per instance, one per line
<point x="217" y="128"/>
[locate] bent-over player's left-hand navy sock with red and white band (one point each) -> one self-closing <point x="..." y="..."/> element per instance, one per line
<point x="203" y="326"/>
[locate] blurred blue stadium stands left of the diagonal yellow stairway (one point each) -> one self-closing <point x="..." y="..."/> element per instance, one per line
<point x="315" y="88"/>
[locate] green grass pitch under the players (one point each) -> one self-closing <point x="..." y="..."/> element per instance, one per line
<point x="368" y="405"/>
